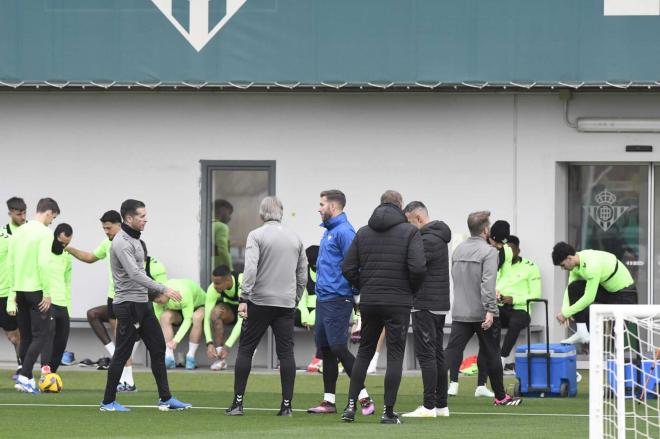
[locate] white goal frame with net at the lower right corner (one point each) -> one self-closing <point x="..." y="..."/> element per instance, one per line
<point x="624" y="382"/>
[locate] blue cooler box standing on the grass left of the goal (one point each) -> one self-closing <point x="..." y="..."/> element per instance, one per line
<point x="562" y="370"/>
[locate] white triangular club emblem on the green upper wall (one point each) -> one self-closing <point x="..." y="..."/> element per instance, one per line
<point x="199" y="31"/>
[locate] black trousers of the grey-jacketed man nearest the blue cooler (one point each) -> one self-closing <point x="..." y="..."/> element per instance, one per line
<point x="489" y="346"/>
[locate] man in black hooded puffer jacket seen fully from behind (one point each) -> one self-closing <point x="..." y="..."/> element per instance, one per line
<point x="386" y="264"/>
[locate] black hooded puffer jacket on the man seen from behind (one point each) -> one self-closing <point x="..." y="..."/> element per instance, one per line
<point x="386" y="260"/>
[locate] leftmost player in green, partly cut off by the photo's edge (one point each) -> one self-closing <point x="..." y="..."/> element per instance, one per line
<point x="16" y="207"/>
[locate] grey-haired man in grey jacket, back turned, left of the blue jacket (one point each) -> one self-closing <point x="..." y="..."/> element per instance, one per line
<point x="274" y="278"/>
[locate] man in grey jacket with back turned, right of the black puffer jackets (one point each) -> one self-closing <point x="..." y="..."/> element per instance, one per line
<point x="474" y="270"/>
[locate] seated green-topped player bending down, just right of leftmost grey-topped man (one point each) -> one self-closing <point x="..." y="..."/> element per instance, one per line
<point x="188" y="314"/>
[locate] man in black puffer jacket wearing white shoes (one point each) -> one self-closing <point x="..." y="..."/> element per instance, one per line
<point x="431" y="304"/>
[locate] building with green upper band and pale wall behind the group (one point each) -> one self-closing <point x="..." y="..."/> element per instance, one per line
<point x="546" y="115"/>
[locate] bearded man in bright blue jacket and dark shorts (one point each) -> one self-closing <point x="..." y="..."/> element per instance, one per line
<point x="334" y="301"/>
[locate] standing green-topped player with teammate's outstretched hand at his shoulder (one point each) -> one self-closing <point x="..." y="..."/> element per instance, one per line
<point x="58" y="285"/>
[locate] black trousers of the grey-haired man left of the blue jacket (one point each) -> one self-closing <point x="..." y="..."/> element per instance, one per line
<point x="259" y="318"/>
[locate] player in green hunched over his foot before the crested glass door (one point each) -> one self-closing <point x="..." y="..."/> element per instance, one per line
<point x="594" y="277"/>
